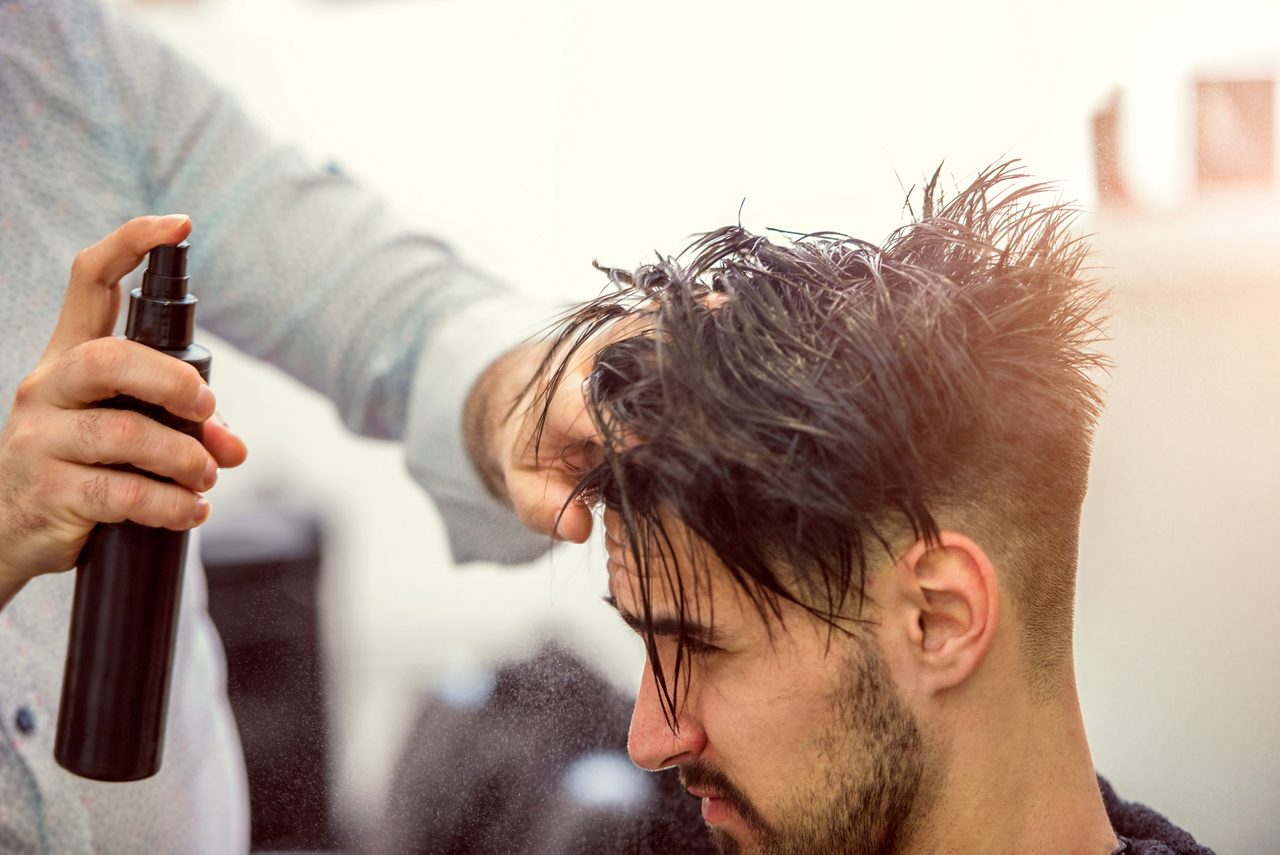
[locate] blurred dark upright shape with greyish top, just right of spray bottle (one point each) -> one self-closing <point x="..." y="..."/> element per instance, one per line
<point x="263" y="565"/>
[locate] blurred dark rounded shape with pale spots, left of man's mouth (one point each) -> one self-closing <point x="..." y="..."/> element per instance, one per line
<point x="533" y="760"/>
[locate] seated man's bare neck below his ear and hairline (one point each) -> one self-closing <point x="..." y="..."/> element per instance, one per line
<point x="1020" y="779"/>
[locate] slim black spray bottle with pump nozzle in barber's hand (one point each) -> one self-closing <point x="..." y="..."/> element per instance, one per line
<point x="129" y="580"/>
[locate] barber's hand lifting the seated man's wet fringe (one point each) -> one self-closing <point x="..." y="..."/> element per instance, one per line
<point x="536" y="481"/>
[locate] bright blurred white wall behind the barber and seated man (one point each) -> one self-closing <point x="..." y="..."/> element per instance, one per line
<point x="540" y="135"/>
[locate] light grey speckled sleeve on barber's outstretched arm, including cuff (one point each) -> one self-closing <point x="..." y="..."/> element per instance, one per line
<point x="307" y="269"/>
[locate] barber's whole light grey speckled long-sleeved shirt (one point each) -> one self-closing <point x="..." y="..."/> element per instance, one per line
<point x="99" y="124"/>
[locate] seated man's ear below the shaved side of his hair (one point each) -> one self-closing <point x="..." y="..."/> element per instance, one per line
<point x="947" y="611"/>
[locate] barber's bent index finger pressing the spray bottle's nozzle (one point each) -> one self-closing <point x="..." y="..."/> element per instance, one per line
<point x="93" y="299"/>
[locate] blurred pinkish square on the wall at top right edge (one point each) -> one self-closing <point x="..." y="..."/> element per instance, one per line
<point x="1235" y="132"/>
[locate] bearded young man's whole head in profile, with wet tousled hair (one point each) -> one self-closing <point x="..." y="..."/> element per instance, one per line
<point x="843" y="487"/>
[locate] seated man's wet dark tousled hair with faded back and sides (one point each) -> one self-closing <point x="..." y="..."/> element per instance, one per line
<point x="804" y="406"/>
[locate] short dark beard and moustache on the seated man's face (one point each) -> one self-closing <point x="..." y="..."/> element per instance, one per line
<point x="870" y="798"/>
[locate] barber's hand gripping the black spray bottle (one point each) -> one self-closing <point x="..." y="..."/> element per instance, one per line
<point x="56" y="447"/>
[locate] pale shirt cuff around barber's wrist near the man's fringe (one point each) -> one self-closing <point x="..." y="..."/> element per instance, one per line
<point x="461" y="349"/>
